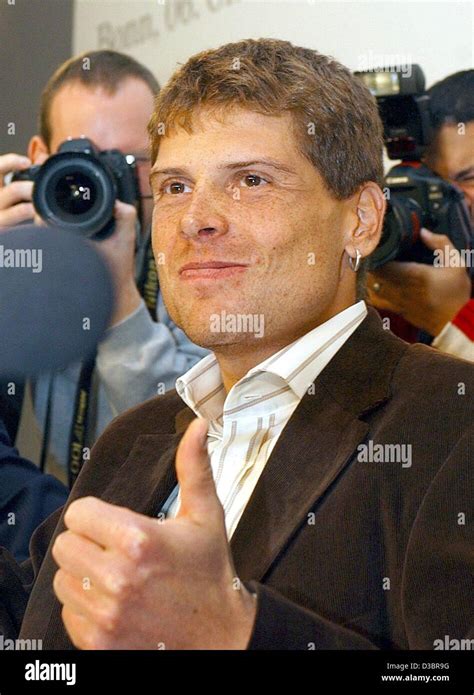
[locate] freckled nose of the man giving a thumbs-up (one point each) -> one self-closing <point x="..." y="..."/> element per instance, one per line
<point x="204" y="217"/>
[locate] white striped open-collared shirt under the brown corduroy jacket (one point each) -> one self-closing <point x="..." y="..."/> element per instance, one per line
<point x="245" y="424"/>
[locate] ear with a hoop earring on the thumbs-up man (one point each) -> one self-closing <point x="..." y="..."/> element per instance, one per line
<point x="370" y="207"/>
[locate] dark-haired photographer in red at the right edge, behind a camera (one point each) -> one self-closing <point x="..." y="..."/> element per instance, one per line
<point x="433" y="298"/>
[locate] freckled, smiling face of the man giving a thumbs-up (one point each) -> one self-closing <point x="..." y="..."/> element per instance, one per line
<point x="237" y="190"/>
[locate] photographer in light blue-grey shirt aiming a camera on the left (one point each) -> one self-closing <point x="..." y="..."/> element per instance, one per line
<point x="107" y="97"/>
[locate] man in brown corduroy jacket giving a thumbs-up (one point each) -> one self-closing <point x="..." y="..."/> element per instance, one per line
<point x="286" y="529"/>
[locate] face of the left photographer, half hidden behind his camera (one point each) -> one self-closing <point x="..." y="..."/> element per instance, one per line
<point x="117" y="121"/>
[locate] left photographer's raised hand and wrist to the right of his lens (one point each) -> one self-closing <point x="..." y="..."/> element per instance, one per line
<point x="119" y="252"/>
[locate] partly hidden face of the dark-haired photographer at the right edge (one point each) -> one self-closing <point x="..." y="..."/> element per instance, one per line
<point x="454" y="158"/>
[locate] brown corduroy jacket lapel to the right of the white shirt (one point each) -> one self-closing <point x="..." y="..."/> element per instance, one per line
<point x="316" y="445"/>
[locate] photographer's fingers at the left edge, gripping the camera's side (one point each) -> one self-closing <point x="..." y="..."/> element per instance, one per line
<point x="15" y="205"/>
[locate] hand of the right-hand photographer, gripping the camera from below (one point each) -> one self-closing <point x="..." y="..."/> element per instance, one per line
<point x="426" y="296"/>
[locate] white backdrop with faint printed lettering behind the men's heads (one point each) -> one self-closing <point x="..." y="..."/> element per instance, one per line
<point x="439" y="35"/>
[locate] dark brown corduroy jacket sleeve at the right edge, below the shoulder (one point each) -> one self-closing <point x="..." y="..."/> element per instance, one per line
<point x="438" y="578"/>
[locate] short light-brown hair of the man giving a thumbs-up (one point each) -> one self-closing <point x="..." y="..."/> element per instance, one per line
<point x="336" y="118"/>
